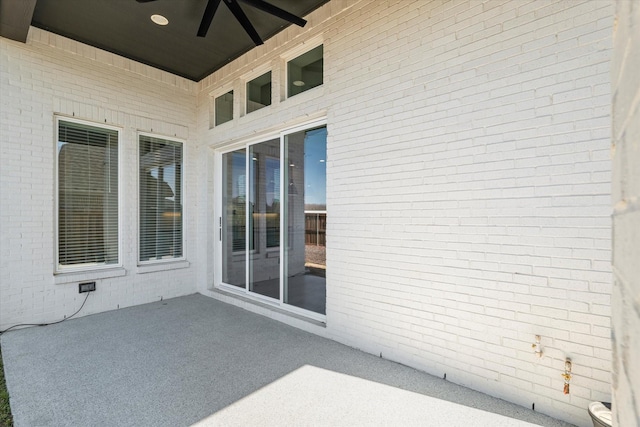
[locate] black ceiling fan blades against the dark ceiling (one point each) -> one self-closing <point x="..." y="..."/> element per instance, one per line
<point x="234" y="7"/>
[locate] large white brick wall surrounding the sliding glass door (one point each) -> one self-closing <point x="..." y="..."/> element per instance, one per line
<point x="468" y="188"/>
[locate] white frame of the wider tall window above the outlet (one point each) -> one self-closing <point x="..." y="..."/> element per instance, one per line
<point x="58" y="268"/>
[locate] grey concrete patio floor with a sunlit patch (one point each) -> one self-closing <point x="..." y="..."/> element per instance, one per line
<point x="195" y="360"/>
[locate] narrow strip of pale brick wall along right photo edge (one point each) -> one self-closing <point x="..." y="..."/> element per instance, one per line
<point x="625" y="83"/>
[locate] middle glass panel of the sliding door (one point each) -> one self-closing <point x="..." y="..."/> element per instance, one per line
<point x="264" y="218"/>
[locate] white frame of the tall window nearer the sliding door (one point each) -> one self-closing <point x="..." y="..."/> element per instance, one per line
<point x="183" y="257"/>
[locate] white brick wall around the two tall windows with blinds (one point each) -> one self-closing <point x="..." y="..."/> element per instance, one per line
<point x="53" y="75"/>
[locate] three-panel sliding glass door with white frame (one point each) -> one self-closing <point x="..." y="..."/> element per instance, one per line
<point x="273" y="219"/>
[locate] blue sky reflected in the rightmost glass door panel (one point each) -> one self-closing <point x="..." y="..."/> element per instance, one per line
<point x="315" y="167"/>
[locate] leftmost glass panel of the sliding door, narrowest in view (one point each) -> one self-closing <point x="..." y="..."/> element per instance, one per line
<point x="232" y="226"/>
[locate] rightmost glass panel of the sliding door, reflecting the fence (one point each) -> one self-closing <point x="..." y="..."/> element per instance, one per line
<point x="305" y="211"/>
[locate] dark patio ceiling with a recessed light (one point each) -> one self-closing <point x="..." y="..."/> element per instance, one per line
<point x="124" y="27"/>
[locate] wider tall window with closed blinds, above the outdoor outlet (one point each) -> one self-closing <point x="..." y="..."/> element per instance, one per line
<point x="87" y="196"/>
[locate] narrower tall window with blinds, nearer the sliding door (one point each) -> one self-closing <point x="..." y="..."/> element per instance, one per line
<point x="160" y="199"/>
